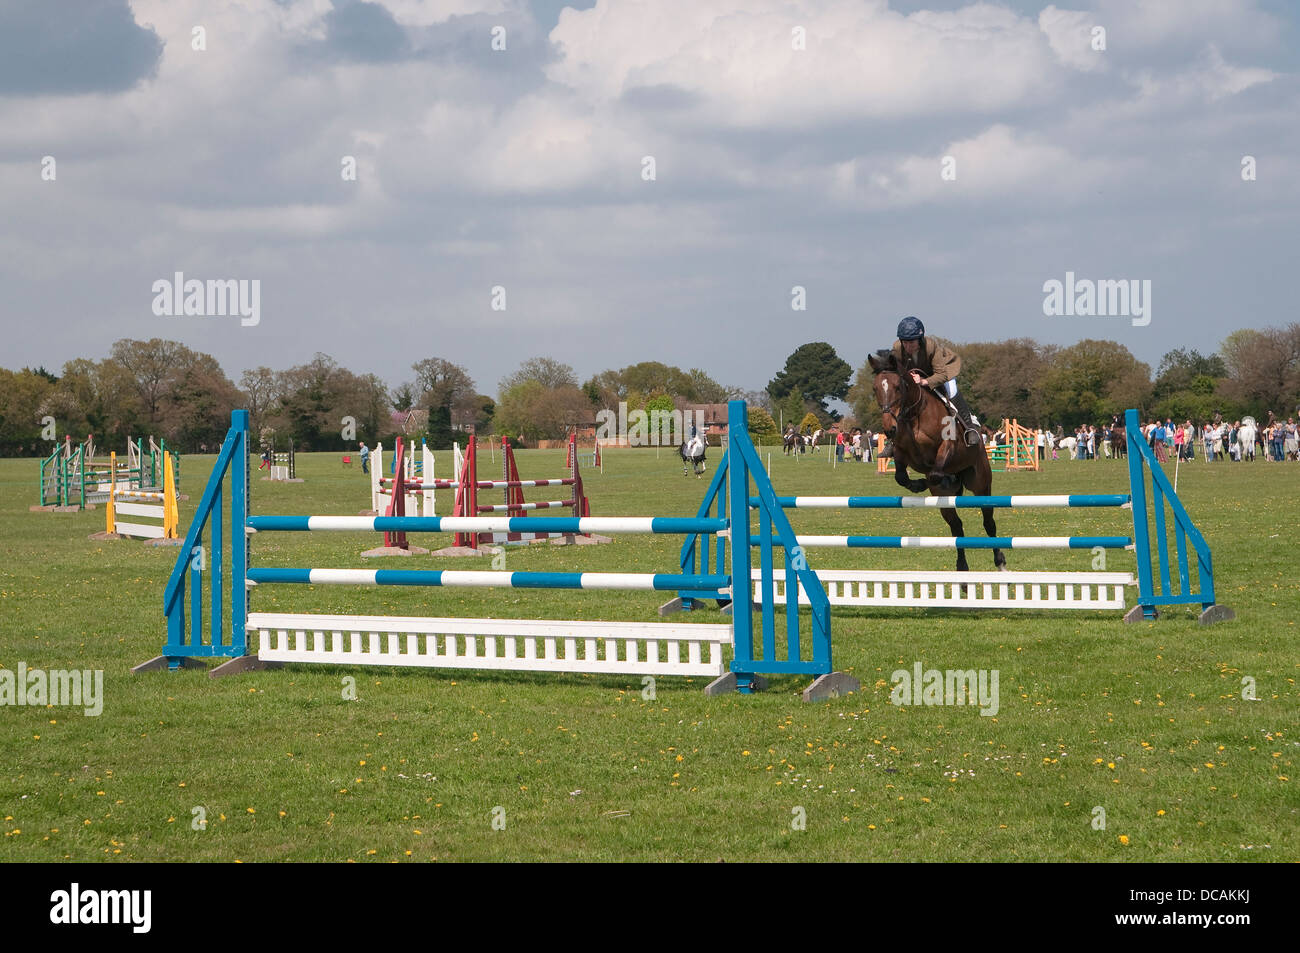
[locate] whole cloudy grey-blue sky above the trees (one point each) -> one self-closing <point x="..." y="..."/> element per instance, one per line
<point x="647" y="180"/>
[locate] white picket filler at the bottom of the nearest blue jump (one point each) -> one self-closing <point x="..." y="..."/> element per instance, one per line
<point x="493" y="644"/>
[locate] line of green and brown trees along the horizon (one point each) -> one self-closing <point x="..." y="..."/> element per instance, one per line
<point x="168" y="391"/>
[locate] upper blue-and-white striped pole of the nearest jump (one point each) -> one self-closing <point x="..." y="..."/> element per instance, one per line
<point x="489" y="525"/>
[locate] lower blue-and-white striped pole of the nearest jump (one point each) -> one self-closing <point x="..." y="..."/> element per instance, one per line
<point x="657" y="582"/>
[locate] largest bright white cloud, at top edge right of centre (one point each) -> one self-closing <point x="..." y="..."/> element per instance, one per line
<point x="863" y="59"/>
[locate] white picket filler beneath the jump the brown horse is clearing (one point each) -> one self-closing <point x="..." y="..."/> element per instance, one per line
<point x="982" y="590"/>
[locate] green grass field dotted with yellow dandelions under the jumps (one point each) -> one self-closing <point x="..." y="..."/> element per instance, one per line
<point x="1146" y="722"/>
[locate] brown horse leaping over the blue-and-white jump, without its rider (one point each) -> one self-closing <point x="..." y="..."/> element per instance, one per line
<point x="928" y="440"/>
